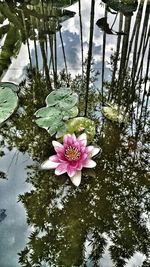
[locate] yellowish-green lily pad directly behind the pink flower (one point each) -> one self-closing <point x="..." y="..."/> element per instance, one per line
<point x="81" y="124"/>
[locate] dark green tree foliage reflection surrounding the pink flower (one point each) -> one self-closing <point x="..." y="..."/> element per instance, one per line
<point x="64" y="218"/>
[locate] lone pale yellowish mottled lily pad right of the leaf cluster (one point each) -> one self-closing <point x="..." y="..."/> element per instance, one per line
<point x="115" y="113"/>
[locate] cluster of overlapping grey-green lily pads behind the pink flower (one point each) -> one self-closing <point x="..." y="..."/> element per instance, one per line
<point x="60" y="106"/>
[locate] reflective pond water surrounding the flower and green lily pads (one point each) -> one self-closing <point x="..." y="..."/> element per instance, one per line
<point x="101" y="50"/>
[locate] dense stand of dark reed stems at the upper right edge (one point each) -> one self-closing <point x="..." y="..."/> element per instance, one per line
<point x="131" y="64"/>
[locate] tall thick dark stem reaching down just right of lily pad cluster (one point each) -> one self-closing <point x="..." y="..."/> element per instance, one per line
<point x="89" y="54"/>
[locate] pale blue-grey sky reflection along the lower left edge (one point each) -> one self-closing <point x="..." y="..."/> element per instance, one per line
<point x="13" y="229"/>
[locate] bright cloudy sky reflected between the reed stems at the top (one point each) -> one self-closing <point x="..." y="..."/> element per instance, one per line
<point x="71" y="39"/>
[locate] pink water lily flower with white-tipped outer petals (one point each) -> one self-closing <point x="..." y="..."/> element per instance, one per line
<point x="71" y="157"/>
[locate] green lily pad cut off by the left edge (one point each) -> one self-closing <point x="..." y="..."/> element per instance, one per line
<point x="8" y="100"/>
